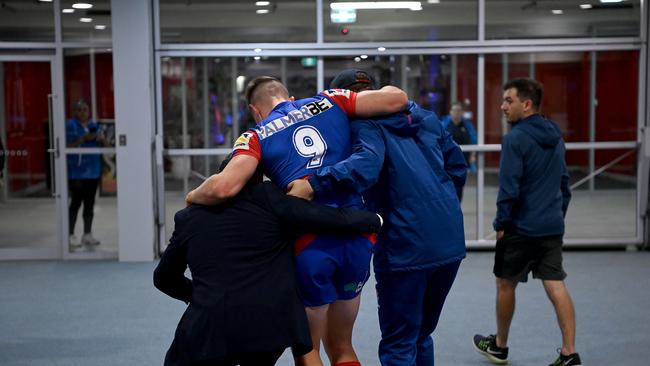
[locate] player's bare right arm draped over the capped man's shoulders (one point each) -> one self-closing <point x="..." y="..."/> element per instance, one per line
<point x="386" y="100"/>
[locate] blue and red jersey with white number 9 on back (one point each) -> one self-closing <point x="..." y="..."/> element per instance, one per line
<point x="301" y="136"/>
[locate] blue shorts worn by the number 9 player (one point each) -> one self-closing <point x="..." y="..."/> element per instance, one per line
<point x="331" y="267"/>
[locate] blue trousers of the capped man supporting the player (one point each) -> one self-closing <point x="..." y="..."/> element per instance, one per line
<point x="410" y="304"/>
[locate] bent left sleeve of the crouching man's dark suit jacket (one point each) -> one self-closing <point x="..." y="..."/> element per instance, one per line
<point x="169" y="275"/>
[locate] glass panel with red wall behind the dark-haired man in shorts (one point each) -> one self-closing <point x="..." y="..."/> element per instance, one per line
<point x="566" y="81"/>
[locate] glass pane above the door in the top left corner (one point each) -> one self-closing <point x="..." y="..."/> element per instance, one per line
<point x="26" y="21"/>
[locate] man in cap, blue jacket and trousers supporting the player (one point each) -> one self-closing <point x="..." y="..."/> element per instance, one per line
<point x="408" y="167"/>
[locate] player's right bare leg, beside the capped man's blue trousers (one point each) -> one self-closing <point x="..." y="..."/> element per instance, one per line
<point x="338" y="339"/>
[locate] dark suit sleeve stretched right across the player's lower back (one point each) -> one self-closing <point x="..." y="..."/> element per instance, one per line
<point x="299" y="214"/>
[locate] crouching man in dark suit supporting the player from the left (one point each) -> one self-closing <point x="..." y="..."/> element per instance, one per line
<point x="244" y="308"/>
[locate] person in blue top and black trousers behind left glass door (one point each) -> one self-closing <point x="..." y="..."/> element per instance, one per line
<point x="84" y="172"/>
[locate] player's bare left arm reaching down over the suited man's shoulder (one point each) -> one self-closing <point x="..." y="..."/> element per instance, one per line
<point x="227" y="184"/>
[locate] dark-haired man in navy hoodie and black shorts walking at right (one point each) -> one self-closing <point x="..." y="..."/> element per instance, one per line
<point x="532" y="202"/>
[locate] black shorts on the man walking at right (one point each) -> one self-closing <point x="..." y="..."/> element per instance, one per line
<point x="517" y="255"/>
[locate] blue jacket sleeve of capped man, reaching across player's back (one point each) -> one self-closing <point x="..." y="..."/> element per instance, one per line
<point x="361" y="170"/>
